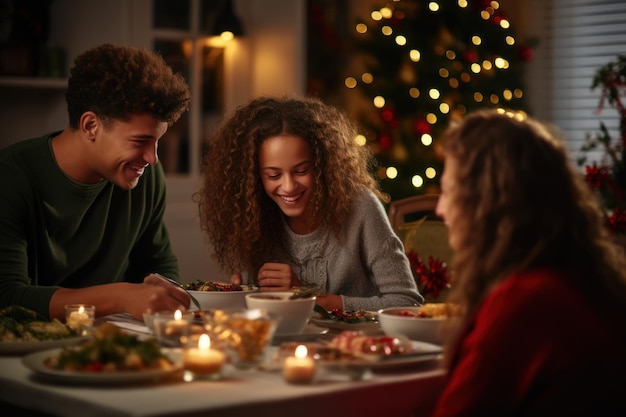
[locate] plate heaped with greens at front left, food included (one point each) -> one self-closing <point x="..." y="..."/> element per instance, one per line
<point x="110" y="357"/>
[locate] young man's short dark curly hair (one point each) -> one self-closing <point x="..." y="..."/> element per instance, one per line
<point x="117" y="82"/>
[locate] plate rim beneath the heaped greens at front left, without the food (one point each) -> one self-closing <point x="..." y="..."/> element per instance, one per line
<point x="35" y="362"/>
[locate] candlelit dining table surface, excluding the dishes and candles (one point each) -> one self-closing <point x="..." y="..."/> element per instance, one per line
<point x="408" y="390"/>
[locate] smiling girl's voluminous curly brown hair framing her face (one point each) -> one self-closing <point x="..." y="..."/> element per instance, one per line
<point x="241" y="222"/>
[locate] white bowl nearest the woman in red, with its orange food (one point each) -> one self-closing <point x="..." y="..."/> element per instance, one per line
<point x="423" y="323"/>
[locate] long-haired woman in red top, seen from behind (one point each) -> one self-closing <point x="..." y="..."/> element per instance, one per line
<point x="541" y="283"/>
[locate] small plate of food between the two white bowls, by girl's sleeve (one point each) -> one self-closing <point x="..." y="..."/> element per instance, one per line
<point x="339" y="319"/>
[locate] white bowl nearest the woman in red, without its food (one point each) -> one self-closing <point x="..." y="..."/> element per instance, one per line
<point x="403" y="321"/>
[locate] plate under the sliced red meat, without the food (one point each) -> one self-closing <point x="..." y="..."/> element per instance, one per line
<point x="422" y="352"/>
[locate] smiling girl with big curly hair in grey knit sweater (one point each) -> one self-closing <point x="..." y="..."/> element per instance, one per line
<point x="289" y="199"/>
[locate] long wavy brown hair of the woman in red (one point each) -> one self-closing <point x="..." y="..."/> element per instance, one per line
<point x="519" y="204"/>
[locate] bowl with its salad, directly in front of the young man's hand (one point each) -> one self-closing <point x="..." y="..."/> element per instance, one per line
<point x="220" y="295"/>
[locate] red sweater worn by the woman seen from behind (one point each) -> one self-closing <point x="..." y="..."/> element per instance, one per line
<point x="536" y="348"/>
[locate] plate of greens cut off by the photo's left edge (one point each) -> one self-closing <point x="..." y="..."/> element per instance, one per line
<point x="23" y="331"/>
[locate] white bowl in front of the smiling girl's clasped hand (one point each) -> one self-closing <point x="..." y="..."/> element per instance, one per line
<point x="292" y="314"/>
